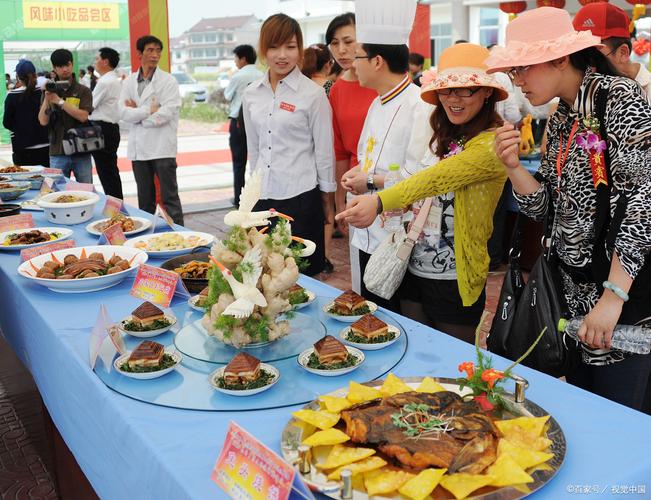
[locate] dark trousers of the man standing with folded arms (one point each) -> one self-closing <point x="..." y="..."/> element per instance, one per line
<point x="165" y="170"/>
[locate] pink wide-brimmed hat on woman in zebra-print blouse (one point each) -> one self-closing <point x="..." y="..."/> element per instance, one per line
<point x="538" y="36"/>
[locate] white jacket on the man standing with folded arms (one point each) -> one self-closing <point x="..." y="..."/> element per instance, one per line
<point x="152" y="136"/>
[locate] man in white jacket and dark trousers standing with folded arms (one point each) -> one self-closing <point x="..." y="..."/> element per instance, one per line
<point x="150" y="102"/>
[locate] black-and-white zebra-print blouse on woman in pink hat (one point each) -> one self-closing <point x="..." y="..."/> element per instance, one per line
<point x="628" y="123"/>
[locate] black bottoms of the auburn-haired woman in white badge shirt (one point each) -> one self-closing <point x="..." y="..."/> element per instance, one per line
<point x="307" y="211"/>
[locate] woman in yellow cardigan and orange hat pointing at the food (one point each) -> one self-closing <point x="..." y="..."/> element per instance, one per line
<point x="457" y="164"/>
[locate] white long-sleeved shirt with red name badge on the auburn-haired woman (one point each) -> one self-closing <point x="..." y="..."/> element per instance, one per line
<point x="289" y="136"/>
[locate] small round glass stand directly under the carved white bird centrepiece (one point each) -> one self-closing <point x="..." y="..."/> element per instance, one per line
<point x="193" y="340"/>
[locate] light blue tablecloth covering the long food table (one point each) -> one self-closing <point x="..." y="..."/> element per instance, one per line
<point x="129" y="449"/>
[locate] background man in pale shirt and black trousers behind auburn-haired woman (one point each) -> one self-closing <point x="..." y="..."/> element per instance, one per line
<point x="245" y="58"/>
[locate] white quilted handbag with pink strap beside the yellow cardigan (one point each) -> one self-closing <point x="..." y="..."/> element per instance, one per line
<point x="388" y="264"/>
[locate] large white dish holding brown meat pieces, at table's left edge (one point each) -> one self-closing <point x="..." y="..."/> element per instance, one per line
<point x="134" y="256"/>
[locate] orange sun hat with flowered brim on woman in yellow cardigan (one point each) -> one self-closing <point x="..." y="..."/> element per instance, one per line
<point x="461" y="65"/>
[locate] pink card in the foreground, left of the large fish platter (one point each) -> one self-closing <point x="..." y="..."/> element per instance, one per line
<point x="248" y="469"/>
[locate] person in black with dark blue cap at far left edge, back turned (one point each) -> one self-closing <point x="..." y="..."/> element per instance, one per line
<point x="29" y="139"/>
